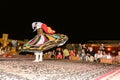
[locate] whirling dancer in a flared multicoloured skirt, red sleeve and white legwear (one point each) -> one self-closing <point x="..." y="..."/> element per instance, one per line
<point x="44" y="40"/>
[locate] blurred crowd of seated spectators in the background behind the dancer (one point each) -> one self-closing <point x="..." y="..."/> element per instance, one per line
<point x="73" y="52"/>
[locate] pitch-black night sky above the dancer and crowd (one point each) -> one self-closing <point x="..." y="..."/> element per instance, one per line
<point x="80" y="21"/>
